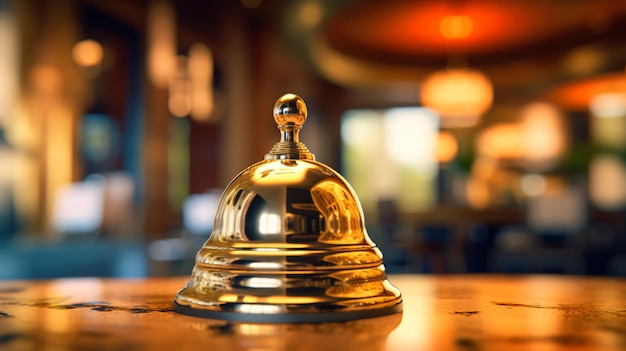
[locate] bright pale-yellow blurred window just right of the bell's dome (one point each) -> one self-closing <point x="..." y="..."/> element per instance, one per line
<point x="391" y="154"/>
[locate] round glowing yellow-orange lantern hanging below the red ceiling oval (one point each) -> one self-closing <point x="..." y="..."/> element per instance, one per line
<point x="460" y="96"/>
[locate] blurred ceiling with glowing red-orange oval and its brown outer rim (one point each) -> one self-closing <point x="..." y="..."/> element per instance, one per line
<point x="527" y="47"/>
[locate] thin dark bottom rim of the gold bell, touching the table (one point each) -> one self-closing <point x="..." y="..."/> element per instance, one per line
<point x="287" y="317"/>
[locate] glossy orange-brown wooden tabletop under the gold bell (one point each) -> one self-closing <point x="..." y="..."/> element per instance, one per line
<point x="460" y="312"/>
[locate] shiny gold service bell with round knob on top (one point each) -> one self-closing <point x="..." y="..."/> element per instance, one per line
<point x="289" y="243"/>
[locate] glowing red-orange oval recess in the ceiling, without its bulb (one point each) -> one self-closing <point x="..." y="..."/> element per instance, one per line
<point x="409" y="32"/>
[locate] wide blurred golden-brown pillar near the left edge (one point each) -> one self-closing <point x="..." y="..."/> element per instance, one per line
<point x="52" y="101"/>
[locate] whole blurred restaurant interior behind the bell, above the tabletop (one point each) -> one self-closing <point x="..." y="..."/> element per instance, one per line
<point x="480" y="135"/>
